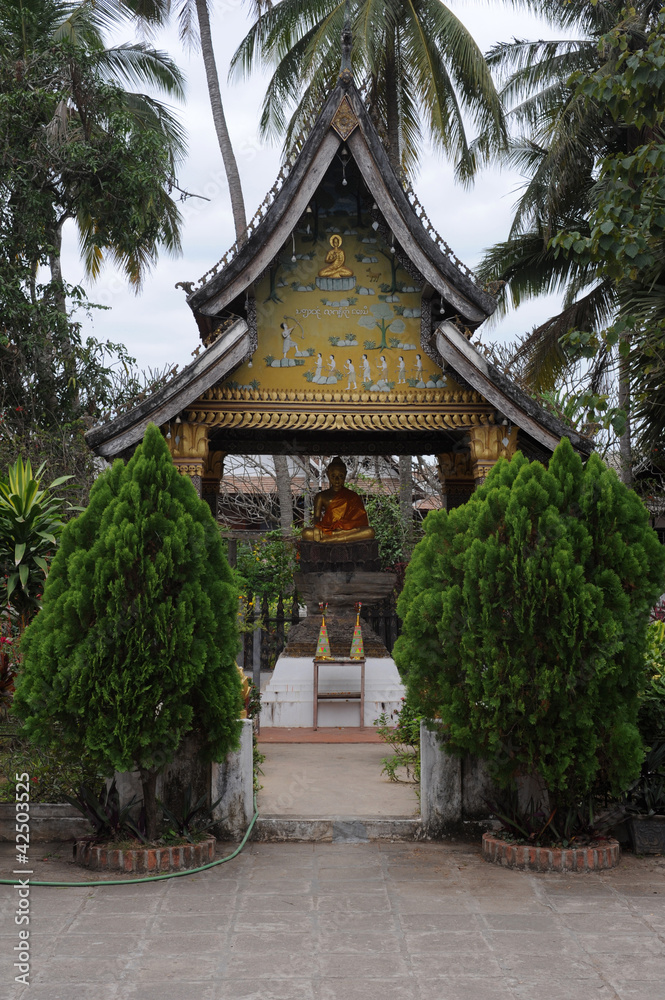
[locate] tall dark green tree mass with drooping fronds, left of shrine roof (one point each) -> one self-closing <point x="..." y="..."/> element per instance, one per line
<point x="77" y="142"/>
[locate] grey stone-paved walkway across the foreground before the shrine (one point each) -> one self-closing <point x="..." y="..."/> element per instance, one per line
<point x="427" y="921"/>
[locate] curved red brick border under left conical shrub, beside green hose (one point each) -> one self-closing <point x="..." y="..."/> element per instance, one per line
<point x="146" y="860"/>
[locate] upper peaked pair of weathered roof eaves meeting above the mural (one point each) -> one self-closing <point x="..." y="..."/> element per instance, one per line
<point x="470" y="301"/>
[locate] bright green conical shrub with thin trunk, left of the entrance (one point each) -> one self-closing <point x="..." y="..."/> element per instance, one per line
<point x="136" y="641"/>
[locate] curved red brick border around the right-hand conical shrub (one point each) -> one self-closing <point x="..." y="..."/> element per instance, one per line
<point x="605" y="854"/>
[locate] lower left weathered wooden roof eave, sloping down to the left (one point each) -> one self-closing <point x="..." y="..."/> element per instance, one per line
<point x="127" y="429"/>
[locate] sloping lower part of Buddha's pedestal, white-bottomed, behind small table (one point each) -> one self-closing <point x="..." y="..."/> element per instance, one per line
<point x="288" y="699"/>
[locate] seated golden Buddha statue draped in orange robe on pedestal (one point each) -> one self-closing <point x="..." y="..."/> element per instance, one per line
<point x="339" y="513"/>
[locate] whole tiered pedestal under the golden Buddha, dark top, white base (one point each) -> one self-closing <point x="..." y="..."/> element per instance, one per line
<point x="338" y="575"/>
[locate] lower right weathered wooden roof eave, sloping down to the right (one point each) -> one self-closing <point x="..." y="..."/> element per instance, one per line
<point x="501" y="392"/>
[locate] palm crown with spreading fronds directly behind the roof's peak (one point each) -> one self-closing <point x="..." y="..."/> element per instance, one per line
<point x="413" y="59"/>
